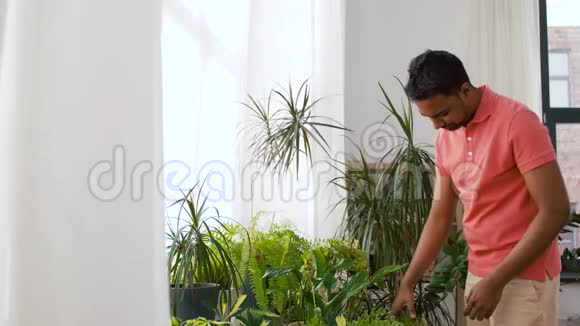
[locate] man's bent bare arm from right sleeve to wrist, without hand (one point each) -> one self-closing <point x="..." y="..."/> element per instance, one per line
<point x="547" y="189"/>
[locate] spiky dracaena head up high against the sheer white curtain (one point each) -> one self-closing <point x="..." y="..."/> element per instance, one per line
<point x="285" y="128"/>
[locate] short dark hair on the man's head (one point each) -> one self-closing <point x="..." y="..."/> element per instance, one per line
<point x="435" y="72"/>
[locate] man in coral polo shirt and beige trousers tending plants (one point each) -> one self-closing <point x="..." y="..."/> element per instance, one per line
<point x="493" y="154"/>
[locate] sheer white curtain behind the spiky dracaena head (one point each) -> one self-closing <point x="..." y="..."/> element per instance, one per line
<point x="289" y="42"/>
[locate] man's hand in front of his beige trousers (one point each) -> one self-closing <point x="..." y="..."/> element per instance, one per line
<point x="483" y="299"/>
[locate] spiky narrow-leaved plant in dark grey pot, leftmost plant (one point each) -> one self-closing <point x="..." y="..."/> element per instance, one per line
<point x="197" y="248"/>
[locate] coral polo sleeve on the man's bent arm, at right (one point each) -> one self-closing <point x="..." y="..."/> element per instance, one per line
<point x="530" y="141"/>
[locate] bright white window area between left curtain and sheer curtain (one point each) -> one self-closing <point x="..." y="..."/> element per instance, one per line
<point x="202" y="67"/>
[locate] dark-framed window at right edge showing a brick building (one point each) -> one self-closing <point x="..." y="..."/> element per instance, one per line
<point x="560" y="55"/>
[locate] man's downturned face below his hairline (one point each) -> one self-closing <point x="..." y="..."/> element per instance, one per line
<point x="450" y="112"/>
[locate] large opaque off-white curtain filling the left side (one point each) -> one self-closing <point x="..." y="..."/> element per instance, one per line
<point x="82" y="220"/>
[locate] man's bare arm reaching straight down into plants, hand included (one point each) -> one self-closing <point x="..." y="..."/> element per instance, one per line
<point x="434" y="234"/>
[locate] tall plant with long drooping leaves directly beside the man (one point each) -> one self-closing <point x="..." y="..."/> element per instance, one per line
<point x="387" y="209"/>
